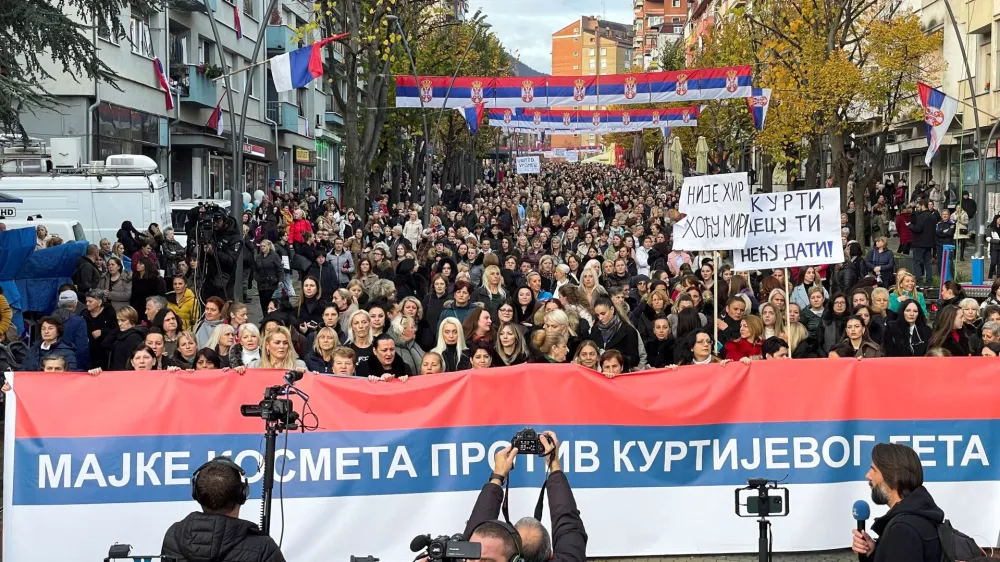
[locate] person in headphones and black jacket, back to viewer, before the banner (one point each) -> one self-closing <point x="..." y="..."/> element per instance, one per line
<point x="217" y="534"/>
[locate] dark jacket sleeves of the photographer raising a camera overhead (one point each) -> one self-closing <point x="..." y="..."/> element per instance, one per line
<point x="569" y="537"/>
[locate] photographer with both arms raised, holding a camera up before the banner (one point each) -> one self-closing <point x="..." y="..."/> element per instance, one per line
<point x="569" y="538"/>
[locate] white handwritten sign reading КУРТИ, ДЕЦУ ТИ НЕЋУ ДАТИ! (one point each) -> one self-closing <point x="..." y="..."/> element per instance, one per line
<point x="793" y="228"/>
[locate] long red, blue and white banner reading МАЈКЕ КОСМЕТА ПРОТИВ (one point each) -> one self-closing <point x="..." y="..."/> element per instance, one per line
<point x="653" y="457"/>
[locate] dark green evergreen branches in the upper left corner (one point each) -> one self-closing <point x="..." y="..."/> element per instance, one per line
<point x="45" y="36"/>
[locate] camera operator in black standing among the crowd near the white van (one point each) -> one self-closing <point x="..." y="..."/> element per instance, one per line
<point x="221" y="242"/>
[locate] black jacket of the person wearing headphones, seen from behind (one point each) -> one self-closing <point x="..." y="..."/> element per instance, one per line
<point x="203" y="537"/>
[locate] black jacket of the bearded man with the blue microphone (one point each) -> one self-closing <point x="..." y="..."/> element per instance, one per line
<point x="908" y="533"/>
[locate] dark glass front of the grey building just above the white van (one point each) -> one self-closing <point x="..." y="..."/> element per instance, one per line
<point x="121" y="130"/>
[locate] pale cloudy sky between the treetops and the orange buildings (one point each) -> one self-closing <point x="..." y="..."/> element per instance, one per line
<point x="525" y="27"/>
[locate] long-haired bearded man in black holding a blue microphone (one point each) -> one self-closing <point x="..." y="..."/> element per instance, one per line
<point x="909" y="531"/>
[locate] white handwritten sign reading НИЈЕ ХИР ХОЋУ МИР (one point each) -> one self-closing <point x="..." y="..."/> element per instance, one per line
<point x="717" y="210"/>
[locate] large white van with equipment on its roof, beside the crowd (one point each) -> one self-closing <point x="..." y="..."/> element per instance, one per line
<point x="99" y="196"/>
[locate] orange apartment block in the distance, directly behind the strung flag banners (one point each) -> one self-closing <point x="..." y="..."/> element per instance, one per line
<point x="590" y="47"/>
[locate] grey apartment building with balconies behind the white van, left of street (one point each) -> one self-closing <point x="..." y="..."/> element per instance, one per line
<point x="291" y="139"/>
